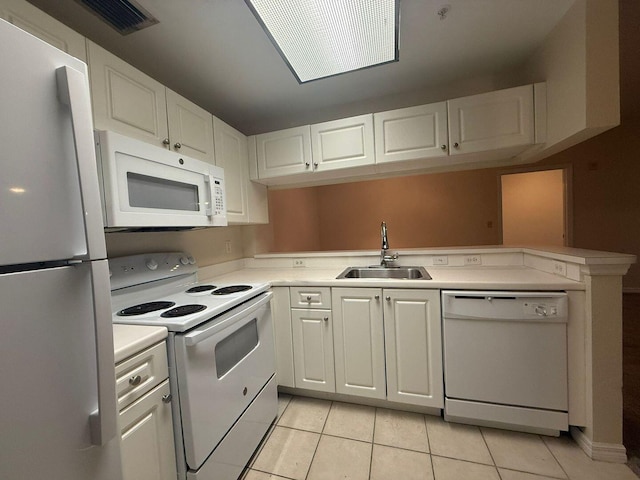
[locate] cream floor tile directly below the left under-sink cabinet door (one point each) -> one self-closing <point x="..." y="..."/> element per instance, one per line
<point x="351" y="421"/>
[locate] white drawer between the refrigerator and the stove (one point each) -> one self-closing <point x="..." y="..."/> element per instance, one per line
<point x="140" y="373"/>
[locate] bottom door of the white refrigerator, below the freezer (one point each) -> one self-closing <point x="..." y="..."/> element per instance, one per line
<point x="48" y="375"/>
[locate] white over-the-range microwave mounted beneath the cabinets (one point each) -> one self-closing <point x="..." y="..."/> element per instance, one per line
<point x="148" y="187"/>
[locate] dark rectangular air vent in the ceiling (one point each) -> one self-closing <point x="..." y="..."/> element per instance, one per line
<point x="125" y="16"/>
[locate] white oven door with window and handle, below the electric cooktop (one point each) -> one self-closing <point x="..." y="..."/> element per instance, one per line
<point x="221" y="367"/>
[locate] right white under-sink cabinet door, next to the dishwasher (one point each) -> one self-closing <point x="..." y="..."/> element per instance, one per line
<point x="413" y="344"/>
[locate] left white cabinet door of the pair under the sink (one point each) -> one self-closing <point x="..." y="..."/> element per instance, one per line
<point x="359" y="342"/>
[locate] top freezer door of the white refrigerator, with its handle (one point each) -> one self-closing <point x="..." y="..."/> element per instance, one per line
<point x="49" y="197"/>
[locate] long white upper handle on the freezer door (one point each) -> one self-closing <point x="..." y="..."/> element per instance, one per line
<point x="73" y="91"/>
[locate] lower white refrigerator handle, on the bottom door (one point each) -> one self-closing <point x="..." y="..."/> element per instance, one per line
<point x="103" y="422"/>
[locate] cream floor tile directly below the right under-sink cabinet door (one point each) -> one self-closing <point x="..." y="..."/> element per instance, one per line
<point x="401" y="429"/>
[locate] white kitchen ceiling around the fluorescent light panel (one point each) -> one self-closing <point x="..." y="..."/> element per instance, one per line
<point x="215" y="53"/>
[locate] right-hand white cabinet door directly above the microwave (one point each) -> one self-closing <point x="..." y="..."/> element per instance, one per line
<point x="190" y="128"/>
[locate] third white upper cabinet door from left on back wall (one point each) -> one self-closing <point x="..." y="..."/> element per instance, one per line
<point x="411" y="133"/>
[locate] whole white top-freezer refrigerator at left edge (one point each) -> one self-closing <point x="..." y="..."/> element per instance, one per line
<point x="58" y="416"/>
